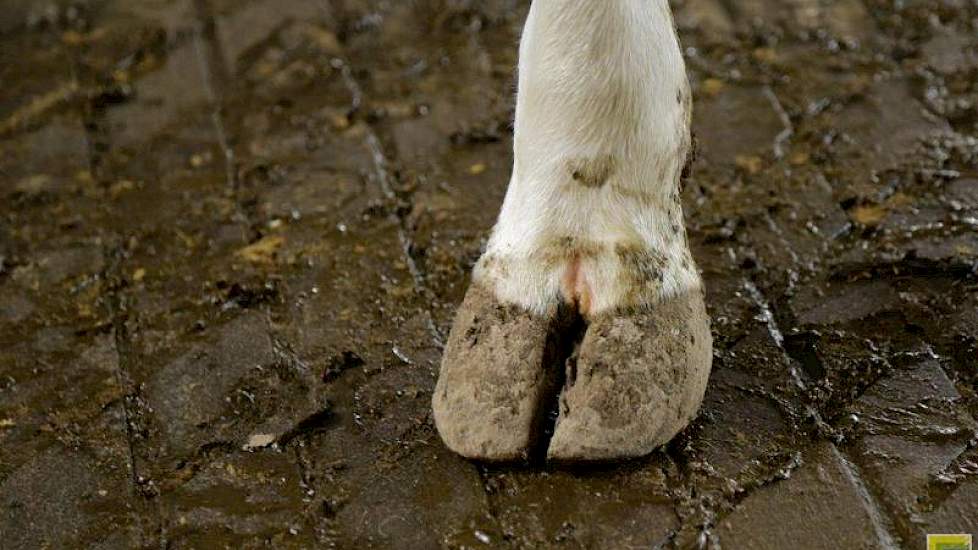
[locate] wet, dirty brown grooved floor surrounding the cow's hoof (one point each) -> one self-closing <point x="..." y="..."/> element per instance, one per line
<point x="233" y="235"/>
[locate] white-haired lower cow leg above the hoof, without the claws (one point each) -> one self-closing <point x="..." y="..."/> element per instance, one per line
<point x="592" y="212"/>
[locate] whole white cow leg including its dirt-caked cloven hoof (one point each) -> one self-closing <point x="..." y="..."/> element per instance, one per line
<point x="591" y="226"/>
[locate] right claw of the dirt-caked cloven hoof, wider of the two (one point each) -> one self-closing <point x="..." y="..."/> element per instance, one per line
<point x="638" y="380"/>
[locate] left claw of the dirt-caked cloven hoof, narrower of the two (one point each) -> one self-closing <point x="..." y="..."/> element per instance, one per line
<point x="497" y="369"/>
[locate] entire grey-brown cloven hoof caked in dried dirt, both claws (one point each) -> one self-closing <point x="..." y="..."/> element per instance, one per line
<point x="635" y="380"/>
